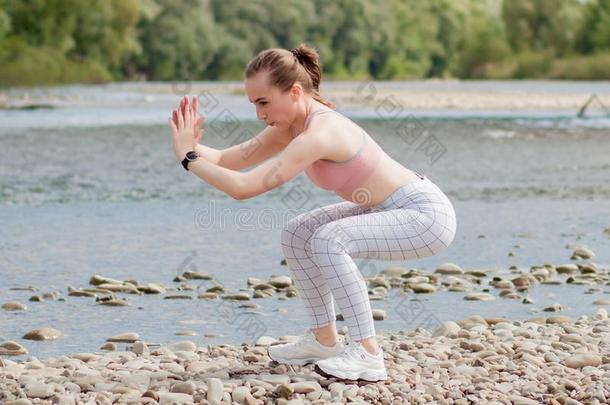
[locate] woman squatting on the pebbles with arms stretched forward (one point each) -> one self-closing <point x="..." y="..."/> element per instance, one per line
<point x="389" y="212"/>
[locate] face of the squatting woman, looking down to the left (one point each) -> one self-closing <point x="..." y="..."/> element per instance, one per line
<point x="275" y="107"/>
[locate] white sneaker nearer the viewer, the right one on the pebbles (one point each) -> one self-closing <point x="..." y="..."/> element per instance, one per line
<point x="354" y="363"/>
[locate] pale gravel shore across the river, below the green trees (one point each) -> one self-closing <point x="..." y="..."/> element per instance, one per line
<point x="426" y="94"/>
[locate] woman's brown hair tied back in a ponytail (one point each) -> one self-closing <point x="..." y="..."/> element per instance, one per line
<point x="287" y="67"/>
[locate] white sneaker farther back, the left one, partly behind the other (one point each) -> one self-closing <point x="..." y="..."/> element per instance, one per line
<point x="306" y="349"/>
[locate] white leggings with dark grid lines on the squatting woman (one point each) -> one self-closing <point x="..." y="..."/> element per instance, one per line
<point x="415" y="221"/>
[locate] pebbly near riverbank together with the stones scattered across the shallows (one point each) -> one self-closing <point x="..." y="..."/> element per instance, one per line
<point x="554" y="359"/>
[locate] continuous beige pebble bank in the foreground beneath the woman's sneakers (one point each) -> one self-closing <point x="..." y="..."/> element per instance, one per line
<point x="552" y="360"/>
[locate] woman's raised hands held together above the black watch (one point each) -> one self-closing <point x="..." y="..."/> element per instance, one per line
<point x="185" y="133"/>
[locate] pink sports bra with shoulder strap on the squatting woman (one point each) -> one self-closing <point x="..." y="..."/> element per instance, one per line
<point x="344" y="177"/>
